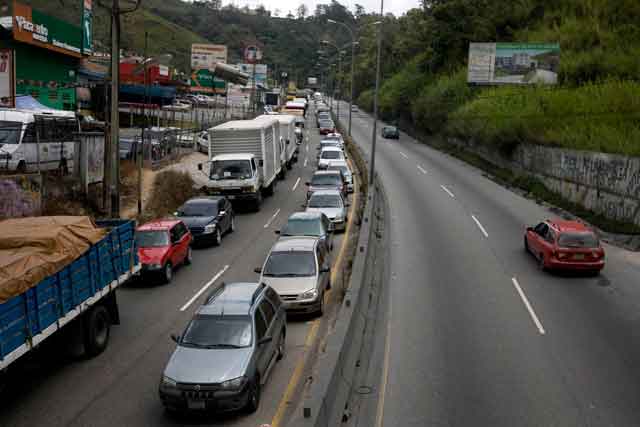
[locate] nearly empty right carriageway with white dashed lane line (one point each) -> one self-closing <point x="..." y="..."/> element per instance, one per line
<point x="477" y="335"/>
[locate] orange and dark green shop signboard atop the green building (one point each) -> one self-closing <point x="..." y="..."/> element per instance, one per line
<point x="34" y="27"/>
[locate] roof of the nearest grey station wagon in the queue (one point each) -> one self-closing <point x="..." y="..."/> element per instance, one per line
<point x="231" y="299"/>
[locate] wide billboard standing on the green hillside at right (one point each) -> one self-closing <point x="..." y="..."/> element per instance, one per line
<point x="513" y="63"/>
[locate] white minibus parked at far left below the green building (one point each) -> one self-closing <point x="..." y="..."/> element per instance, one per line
<point x="21" y="131"/>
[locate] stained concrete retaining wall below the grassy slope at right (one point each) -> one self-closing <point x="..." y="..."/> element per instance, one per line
<point x="607" y="184"/>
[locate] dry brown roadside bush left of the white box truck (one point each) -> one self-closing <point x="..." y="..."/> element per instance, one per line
<point x="170" y="190"/>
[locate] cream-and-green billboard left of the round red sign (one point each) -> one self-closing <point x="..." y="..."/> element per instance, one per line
<point x="204" y="58"/>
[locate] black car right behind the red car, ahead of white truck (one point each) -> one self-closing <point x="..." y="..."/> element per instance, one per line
<point x="208" y="218"/>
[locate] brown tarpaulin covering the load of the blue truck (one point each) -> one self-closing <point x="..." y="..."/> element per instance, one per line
<point x="34" y="248"/>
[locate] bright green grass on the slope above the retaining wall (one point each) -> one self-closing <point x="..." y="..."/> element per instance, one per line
<point x="597" y="117"/>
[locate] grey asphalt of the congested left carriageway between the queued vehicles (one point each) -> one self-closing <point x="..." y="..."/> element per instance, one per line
<point x="120" y="387"/>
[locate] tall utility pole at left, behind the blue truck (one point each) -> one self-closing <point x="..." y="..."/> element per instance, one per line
<point x="112" y="152"/>
